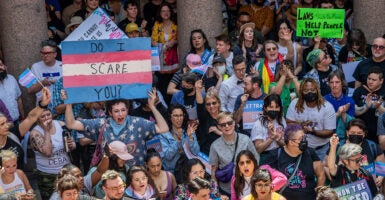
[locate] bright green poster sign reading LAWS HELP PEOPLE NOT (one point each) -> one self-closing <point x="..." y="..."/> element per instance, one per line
<point x="328" y="23"/>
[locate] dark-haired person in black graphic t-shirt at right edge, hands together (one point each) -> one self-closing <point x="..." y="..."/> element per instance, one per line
<point x="369" y="100"/>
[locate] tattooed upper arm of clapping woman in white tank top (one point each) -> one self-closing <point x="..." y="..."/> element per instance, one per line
<point x="41" y="143"/>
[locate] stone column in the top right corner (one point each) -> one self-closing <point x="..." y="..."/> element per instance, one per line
<point x="369" y="16"/>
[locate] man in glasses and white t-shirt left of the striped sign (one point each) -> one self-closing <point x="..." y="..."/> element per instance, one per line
<point x="48" y="71"/>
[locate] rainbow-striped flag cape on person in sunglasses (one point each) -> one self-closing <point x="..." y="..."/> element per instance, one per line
<point x="266" y="74"/>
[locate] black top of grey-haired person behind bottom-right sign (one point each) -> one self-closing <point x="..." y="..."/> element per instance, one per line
<point x="345" y="176"/>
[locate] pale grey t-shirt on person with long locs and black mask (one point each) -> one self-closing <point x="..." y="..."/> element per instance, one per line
<point x="323" y="119"/>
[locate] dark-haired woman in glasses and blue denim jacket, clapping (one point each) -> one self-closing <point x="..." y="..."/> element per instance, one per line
<point x="181" y="132"/>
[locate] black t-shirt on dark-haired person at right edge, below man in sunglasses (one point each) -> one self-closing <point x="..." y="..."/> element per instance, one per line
<point x="369" y="116"/>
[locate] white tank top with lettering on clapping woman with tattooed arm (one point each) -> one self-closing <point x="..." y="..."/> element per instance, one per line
<point x="59" y="157"/>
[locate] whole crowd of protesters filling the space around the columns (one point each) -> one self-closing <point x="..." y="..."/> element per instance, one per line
<point x="315" y="131"/>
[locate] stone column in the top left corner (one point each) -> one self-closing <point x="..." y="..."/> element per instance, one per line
<point x="23" y="25"/>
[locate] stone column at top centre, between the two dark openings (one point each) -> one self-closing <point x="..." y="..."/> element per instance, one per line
<point x="198" y="14"/>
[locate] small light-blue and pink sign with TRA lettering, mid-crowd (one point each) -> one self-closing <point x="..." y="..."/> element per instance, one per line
<point x="251" y="111"/>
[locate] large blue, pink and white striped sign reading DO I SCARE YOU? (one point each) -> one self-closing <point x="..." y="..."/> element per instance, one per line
<point x="101" y="70"/>
